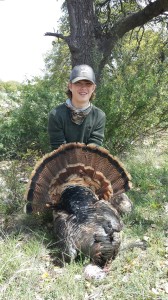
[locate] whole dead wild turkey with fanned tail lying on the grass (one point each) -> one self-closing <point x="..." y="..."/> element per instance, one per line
<point x="79" y="183"/>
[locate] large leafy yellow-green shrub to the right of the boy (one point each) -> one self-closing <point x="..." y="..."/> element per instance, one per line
<point x="133" y="93"/>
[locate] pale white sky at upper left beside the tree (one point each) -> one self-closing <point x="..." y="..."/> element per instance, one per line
<point x="22" y="41"/>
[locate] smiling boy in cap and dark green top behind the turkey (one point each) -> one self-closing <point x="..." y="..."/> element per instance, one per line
<point x="77" y="120"/>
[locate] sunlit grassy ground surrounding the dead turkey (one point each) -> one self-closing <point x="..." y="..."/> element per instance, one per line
<point x="29" y="270"/>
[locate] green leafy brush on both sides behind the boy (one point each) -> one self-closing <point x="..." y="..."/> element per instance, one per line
<point x="133" y="93"/>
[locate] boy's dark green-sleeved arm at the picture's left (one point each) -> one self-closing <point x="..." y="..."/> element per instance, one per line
<point x="55" y="130"/>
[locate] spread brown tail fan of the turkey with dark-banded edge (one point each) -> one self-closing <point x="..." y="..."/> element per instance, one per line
<point x="75" y="164"/>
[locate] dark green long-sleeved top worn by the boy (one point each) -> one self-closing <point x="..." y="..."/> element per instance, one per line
<point x="62" y="130"/>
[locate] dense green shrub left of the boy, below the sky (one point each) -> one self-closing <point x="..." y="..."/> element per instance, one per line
<point x="25" y="127"/>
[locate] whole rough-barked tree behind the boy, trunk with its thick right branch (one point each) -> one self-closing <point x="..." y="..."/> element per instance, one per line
<point x="89" y="43"/>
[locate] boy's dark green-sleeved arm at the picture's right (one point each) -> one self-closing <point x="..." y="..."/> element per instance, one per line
<point x="97" y="135"/>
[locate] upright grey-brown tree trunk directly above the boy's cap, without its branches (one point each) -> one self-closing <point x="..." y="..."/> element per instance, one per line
<point x="83" y="43"/>
